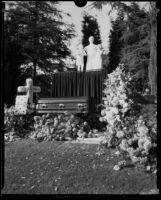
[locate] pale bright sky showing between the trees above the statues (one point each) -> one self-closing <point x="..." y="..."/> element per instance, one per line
<point x="76" y="17"/>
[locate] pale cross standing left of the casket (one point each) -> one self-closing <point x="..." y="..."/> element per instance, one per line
<point x="29" y="89"/>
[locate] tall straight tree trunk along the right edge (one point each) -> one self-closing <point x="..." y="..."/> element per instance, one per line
<point x="153" y="50"/>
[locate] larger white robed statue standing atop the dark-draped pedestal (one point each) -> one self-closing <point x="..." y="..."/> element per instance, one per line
<point x="93" y="52"/>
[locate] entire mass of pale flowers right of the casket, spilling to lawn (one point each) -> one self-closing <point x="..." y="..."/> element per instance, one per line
<point x="128" y="129"/>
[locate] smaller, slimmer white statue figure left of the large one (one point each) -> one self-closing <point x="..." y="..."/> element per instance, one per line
<point x="80" y="58"/>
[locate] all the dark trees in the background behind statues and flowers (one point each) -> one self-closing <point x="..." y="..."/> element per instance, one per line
<point x="36" y="38"/>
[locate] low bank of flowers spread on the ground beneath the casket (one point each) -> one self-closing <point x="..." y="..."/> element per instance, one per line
<point x="60" y="127"/>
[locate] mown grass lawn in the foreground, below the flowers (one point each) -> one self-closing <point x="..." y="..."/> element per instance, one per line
<point x="69" y="168"/>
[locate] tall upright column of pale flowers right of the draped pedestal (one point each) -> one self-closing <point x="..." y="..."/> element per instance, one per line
<point x="116" y="104"/>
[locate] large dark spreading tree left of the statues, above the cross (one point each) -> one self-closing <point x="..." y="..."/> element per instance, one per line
<point x="33" y="34"/>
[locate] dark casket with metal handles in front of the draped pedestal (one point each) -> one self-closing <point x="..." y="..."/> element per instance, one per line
<point x="60" y="105"/>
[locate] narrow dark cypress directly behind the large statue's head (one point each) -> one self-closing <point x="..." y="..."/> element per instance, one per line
<point x="90" y="28"/>
